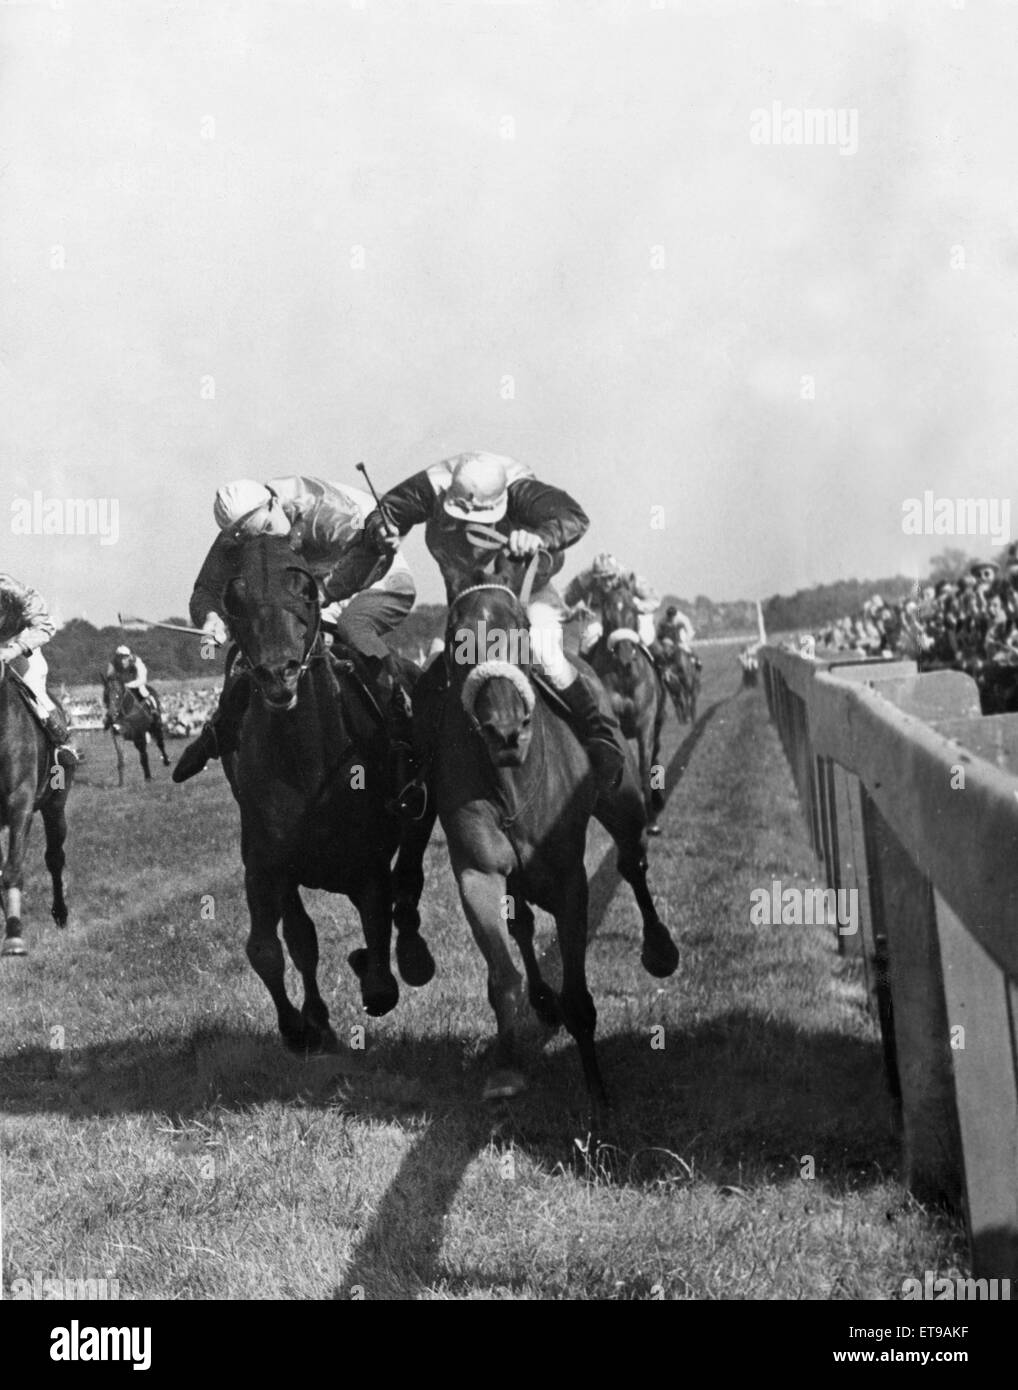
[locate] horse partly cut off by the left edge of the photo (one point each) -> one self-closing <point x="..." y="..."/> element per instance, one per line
<point x="31" y="779"/>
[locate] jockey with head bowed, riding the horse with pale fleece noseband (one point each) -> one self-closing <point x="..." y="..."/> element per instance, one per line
<point x="461" y="500"/>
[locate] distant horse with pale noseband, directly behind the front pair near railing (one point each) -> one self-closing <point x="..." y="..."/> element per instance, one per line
<point x="636" y="690"/>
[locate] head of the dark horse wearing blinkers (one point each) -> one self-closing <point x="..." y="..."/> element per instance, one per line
<point x="273" y="610"/>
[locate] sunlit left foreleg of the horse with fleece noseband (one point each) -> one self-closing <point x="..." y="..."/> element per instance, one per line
<point x="483" y="897"/>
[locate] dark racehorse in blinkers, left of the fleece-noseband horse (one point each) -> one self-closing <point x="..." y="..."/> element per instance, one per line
<point x="309" y="775"/>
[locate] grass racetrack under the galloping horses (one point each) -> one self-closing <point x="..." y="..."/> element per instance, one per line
<point x="156" y="1132"/>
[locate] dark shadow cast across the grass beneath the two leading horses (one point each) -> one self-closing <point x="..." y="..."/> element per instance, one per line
<point x="735" y="1102"/>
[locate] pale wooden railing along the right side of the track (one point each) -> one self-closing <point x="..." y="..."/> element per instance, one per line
<point x="912" y="800"/>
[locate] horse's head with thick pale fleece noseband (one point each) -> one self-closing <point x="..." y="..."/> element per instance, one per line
<point x="489" y="651"/>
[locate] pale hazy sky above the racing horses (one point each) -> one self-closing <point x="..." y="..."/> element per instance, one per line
<point x="254" y="238"/>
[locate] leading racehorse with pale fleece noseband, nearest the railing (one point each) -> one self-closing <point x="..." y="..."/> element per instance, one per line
<point x="515" y="794"/>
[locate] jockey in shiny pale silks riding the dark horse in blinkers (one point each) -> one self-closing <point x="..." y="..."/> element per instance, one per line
<point x="366" y="596"/>
